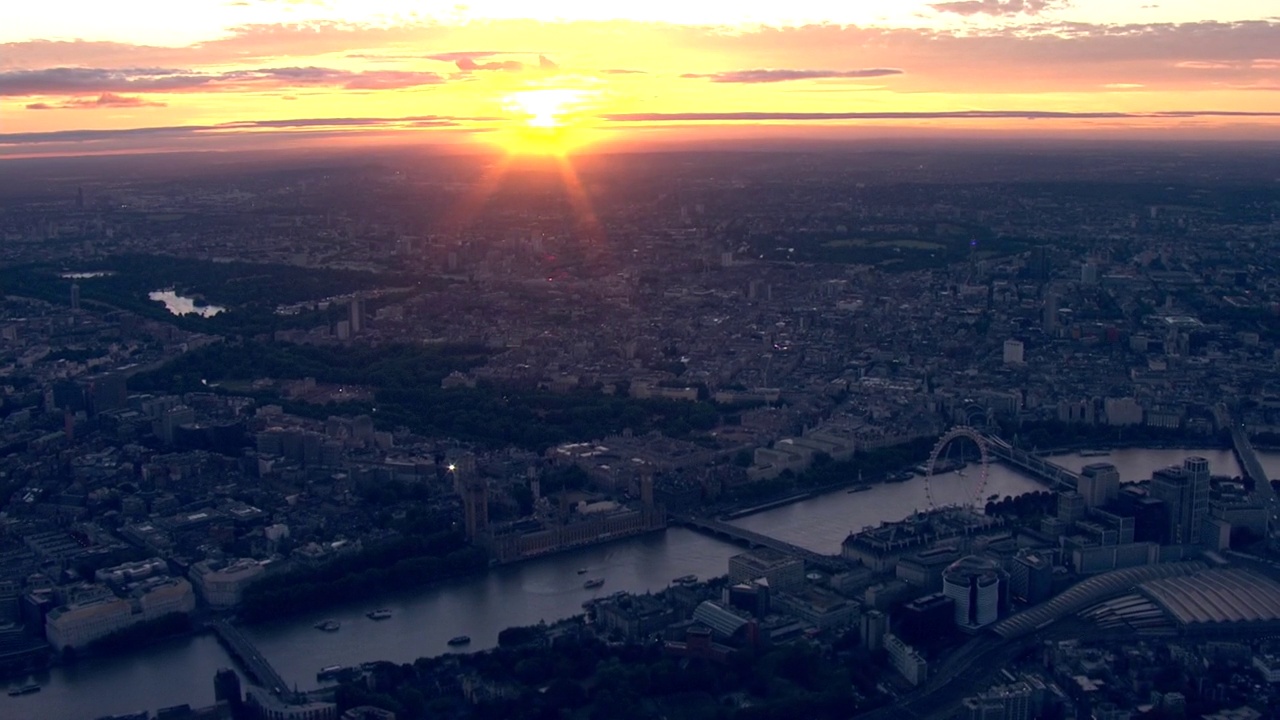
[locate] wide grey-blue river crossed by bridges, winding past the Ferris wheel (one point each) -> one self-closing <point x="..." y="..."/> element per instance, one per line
<point x="550" y="589"/>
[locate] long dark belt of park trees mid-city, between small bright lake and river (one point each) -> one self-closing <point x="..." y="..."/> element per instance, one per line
<point x="408" y="394"/>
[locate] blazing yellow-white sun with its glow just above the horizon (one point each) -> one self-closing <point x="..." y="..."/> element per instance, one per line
<point x="547" y="121"/>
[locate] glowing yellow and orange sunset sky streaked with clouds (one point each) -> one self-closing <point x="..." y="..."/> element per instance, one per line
<point x="560" y="76"/>
